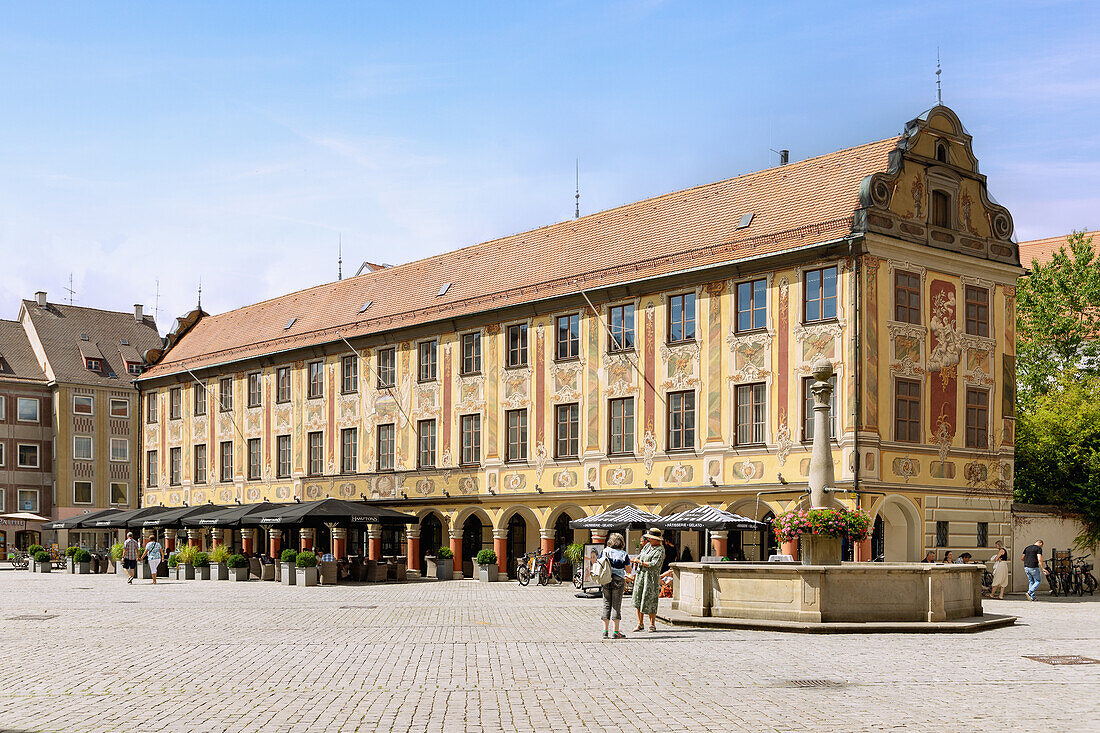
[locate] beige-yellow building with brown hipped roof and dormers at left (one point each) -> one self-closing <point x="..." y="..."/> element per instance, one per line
<point x="89" y="360"/>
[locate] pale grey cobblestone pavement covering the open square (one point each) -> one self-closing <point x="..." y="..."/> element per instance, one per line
<point x="90" y="653"/>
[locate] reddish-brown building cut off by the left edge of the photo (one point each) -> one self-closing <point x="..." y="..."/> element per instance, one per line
<point x="26" y="437"/>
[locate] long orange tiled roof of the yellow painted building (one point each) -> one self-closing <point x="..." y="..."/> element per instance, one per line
<point x="795" y="205"/>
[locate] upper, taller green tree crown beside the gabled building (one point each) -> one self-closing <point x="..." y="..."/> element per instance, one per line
<point x="1059" y="319"/>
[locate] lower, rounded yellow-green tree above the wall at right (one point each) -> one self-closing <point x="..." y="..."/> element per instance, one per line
<point x="1059" y="451"/>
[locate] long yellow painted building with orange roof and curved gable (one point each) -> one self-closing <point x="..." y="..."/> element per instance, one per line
<point x="657" y="354"/>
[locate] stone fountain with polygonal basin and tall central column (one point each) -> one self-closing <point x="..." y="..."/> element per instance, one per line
<point x="822" y="594"/>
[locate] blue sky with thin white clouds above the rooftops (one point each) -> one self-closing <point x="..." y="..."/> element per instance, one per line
<point x="149" y="148"/>
